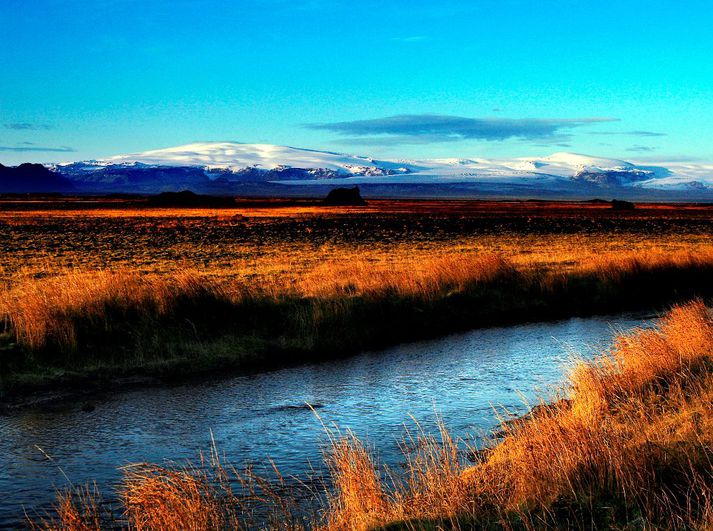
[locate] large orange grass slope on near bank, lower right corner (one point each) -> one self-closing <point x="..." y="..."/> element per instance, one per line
<point x="632" y="442"/>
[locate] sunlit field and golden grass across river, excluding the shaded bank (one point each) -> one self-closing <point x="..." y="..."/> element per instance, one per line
<point x="61" y="262"/>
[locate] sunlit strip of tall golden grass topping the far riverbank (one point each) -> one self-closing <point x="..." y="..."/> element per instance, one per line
<point x="43" y="310"/>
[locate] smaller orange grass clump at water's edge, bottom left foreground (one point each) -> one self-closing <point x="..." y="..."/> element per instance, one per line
<point x="208" y="495"/>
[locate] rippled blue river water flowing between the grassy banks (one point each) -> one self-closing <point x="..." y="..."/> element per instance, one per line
<point x="252" y="418"/>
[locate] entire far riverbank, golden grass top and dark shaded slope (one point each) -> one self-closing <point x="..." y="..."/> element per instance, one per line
<point x="97" y="330"/>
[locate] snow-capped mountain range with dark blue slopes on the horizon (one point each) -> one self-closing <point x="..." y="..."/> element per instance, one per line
<point x="225" y="167"/>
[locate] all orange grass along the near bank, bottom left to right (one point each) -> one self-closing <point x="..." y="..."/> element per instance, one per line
<point x="625" y="445"/>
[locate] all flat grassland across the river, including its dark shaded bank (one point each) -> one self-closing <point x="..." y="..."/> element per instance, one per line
<point x="93" y="290"/>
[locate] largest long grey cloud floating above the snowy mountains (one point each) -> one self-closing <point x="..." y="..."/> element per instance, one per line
<point x="423" y="128"/>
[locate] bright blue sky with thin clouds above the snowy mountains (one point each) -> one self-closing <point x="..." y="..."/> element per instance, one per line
<point x="496" y="78"/>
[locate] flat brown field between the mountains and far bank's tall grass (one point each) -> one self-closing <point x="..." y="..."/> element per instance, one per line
<point x="281" y="243"/>
